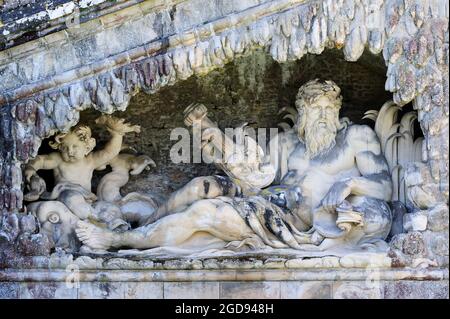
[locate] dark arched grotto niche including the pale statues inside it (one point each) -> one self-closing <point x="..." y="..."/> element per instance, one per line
<point x="174" y="208"/>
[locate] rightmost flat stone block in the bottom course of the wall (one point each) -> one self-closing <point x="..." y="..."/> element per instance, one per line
<point x="416" y="290"/>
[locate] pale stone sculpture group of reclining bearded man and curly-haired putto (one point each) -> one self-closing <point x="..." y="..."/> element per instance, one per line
<point x="327" y="186"/>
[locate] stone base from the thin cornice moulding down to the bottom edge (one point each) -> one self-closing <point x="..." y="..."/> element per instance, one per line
<point x="225" y="283"/>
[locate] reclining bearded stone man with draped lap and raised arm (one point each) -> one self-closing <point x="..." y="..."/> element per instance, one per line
<point x="333" y="179"/>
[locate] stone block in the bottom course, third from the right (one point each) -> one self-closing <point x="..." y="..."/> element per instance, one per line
<point x="305" y="290"/>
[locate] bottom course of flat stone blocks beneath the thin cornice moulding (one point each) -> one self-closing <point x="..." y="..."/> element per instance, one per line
<point x="407" y="289"/>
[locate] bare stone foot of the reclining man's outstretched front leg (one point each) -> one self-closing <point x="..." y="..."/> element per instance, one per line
<point x="93" y="236"/>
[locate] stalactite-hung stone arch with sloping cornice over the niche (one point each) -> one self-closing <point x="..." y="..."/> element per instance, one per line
<point x="411" y="36"/>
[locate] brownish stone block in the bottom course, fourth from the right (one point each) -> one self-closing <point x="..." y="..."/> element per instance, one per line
<point x="250" y="290"/>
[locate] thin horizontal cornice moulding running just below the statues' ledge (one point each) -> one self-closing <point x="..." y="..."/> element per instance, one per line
<point x="40" y="275"/>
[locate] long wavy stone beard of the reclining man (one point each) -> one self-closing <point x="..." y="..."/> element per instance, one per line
<point x="319" y="140"/>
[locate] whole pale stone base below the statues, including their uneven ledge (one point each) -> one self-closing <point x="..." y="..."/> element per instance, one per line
<point x="214" y="278"/>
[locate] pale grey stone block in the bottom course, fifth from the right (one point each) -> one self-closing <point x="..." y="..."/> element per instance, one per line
<point x="191" y="290"/>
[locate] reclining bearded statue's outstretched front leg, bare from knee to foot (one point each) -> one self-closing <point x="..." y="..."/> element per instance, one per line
<point x="213" y="216"/>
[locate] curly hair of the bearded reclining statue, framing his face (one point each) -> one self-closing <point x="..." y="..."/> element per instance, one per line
<point x="309" y="92"/>
